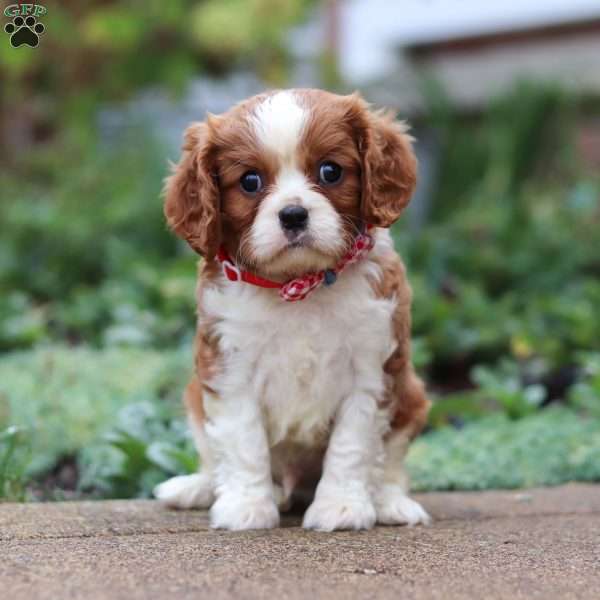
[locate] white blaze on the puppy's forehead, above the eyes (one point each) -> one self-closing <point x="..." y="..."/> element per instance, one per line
<point x="278" y="122"/>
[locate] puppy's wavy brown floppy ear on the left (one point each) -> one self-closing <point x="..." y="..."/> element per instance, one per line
<point x="192" y="205"/>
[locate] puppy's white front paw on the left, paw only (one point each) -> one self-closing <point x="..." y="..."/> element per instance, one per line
<point x="235" y="512"/>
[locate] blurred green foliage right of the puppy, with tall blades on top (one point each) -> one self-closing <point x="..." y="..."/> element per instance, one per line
<point x="508" y="265"/>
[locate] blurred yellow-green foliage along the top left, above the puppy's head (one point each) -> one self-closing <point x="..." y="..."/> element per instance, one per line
<point x="97" y="51"/>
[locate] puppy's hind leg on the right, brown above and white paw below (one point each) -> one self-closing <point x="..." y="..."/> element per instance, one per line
<point x="392" y="503"/>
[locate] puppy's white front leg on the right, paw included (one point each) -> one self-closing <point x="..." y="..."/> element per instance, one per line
<point x="343" y="496"/>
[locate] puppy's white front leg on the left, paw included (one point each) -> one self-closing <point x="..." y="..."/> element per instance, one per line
<point x="242" y="469"/>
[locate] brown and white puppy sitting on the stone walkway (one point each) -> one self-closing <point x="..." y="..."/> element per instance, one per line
<point x="286" y="394"/>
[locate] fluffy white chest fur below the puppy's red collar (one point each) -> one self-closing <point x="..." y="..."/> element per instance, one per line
<point x="300" y="360"/>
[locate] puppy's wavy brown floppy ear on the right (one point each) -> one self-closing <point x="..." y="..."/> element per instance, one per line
<point x="389" y="166"/>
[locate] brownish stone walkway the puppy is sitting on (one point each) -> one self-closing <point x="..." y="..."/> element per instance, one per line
<point x="512" y="545"/>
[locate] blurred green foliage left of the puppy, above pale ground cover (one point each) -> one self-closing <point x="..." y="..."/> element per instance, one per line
<point x="87" y="256"/>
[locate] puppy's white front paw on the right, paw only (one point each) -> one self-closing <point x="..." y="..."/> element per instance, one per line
<point x="332" y="512"/>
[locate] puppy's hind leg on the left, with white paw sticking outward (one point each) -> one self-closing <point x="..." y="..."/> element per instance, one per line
<point x="192" y="491"/>
